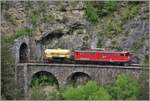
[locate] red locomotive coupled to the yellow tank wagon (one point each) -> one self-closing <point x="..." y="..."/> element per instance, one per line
<point x="103" y="56"/>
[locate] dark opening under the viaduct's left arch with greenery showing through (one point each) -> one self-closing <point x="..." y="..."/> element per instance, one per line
<point x="50" y="78"/>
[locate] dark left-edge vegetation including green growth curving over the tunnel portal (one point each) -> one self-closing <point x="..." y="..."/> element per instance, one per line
<point x="9" y="87"/>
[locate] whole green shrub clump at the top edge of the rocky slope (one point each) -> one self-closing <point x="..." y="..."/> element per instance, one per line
<point x="96" y="10"/>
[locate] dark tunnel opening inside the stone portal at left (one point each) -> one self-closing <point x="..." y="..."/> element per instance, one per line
<point x="23" y="53"/>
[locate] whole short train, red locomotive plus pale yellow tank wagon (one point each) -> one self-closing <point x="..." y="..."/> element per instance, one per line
<point x="89" y="56"/>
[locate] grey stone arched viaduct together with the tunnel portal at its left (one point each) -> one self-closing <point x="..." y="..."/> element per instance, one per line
<point x="63" y="73"/>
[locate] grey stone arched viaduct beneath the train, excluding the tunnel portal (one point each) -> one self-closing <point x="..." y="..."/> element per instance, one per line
<point x="66" y="72"/>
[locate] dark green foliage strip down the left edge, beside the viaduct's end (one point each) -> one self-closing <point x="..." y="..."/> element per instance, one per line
<point x="9" y="89"/>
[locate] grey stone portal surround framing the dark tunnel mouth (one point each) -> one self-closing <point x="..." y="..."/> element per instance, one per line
<point x="18" y="43"/>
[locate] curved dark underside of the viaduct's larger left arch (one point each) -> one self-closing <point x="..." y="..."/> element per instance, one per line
<point x="49" y="74"/>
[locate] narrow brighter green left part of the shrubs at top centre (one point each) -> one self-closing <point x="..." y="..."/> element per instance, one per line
<point x="91" y="13"/>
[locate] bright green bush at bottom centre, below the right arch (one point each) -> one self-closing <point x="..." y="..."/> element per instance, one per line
<point x="90" y="91"/>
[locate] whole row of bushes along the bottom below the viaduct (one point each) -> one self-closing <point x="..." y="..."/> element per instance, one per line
<point x="123" y="88"/>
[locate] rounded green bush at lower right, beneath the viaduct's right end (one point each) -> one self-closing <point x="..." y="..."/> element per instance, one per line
<point x="124" y="88"/>
